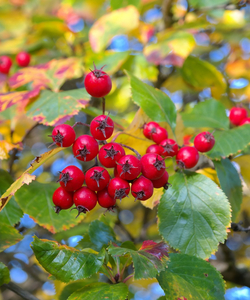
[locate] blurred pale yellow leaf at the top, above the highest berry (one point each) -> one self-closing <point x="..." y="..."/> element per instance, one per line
<point x="120" y="21"/>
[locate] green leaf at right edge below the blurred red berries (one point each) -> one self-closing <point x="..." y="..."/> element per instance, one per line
<point x="229" y="142"/>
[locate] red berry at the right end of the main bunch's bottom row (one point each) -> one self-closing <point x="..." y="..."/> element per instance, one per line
<point x="142" y="188"/>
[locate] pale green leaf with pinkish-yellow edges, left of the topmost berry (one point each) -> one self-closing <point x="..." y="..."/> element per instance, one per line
<point x="52" y="108"/>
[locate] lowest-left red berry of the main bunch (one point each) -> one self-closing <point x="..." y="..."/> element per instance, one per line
<point x="62" y="199"/>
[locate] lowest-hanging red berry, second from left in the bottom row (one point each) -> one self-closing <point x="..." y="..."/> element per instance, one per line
<point x="84" y="199"/>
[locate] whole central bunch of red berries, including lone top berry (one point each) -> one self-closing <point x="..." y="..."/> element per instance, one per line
<point x="135" y="173"/>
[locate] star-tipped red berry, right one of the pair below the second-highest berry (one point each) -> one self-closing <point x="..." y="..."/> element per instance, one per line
<point x="110" y="153"/>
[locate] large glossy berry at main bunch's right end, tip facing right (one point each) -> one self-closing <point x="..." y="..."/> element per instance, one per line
<point x="153" y="166"/>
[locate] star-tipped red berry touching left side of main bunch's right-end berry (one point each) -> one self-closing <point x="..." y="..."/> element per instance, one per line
<point x="128" y="167"/>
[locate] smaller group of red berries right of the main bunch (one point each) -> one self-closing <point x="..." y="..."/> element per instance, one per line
<point x="186" y="157"/>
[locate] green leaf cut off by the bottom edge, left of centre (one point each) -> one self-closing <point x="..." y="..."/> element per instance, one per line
<point x="101" y="291"/>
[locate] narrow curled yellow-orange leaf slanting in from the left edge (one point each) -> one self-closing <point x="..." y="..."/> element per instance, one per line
<point x="26" y="177"/>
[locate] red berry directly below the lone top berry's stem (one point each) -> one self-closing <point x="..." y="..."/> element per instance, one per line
<point x="102" y="127"/>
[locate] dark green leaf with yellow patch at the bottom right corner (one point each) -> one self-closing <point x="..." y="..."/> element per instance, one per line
<point x="192" y="278"/>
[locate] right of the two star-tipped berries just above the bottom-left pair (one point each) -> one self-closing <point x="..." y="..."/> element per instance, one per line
<point x="97" y="178"/>
